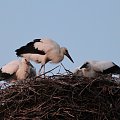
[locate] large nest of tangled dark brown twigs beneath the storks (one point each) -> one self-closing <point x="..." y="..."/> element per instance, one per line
<point x="61" y="97"/>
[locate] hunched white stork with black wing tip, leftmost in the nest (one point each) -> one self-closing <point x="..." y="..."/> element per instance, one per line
<point x="17" y="70"/>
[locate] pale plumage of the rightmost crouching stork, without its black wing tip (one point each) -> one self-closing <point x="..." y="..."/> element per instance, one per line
<point x="93" y="68"/>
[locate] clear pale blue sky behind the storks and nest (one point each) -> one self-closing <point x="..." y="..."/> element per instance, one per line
<point x="90" y="29"/>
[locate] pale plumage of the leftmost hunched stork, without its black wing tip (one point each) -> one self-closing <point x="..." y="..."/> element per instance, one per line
<point x="21" y="69"/>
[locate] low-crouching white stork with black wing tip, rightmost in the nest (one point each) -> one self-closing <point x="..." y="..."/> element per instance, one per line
<point x="93" y="68"/>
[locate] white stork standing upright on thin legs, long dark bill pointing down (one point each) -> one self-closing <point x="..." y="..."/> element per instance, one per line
<point x="43" y="51"/>
